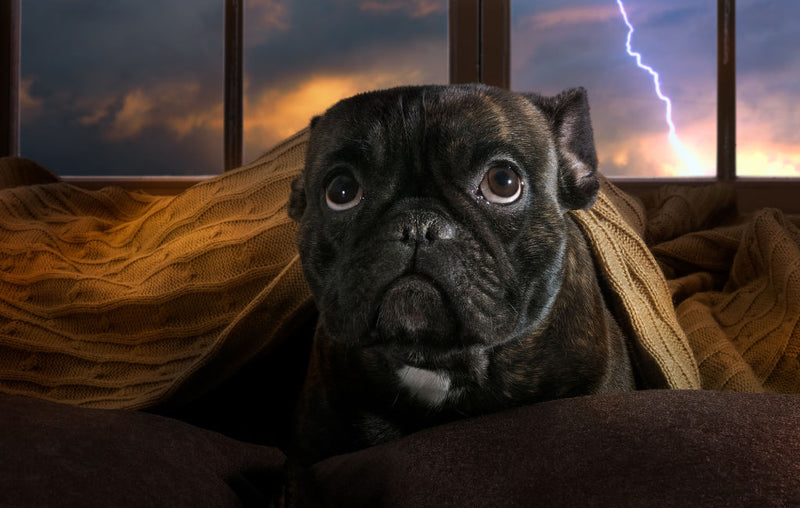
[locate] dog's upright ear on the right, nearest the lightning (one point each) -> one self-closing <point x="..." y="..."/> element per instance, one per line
<point x="568" y="113"/>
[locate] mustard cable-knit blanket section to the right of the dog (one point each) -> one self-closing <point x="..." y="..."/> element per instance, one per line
<point x="692" y="274"/>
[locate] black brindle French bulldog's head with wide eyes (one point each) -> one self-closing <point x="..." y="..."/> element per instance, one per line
<point x="433" y="218"/>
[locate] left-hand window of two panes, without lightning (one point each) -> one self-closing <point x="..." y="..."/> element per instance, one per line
<point x="136" y="88"/>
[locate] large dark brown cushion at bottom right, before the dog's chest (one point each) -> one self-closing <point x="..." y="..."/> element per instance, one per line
<point x="649" y="448"/>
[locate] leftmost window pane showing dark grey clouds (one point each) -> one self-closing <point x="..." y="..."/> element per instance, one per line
<point x="122" y="87"/>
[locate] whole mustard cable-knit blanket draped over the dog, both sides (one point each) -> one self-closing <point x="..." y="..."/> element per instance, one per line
<point x="120" y="299"/>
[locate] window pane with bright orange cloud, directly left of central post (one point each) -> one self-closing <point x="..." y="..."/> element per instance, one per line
<point x="301" y="57"/>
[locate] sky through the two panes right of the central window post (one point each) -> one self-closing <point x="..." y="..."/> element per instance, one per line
<point x="556" y="46"/>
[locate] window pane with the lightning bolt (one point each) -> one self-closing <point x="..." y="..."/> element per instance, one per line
<point x="557" y="44"/>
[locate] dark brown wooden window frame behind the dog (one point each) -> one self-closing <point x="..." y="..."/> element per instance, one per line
<point x="479" y="41"/>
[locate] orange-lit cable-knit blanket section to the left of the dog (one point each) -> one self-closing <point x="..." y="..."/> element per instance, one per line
<point x="120" y="299"/>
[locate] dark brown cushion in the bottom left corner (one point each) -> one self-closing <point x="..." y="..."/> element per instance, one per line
<point x="58" y="455"/>
